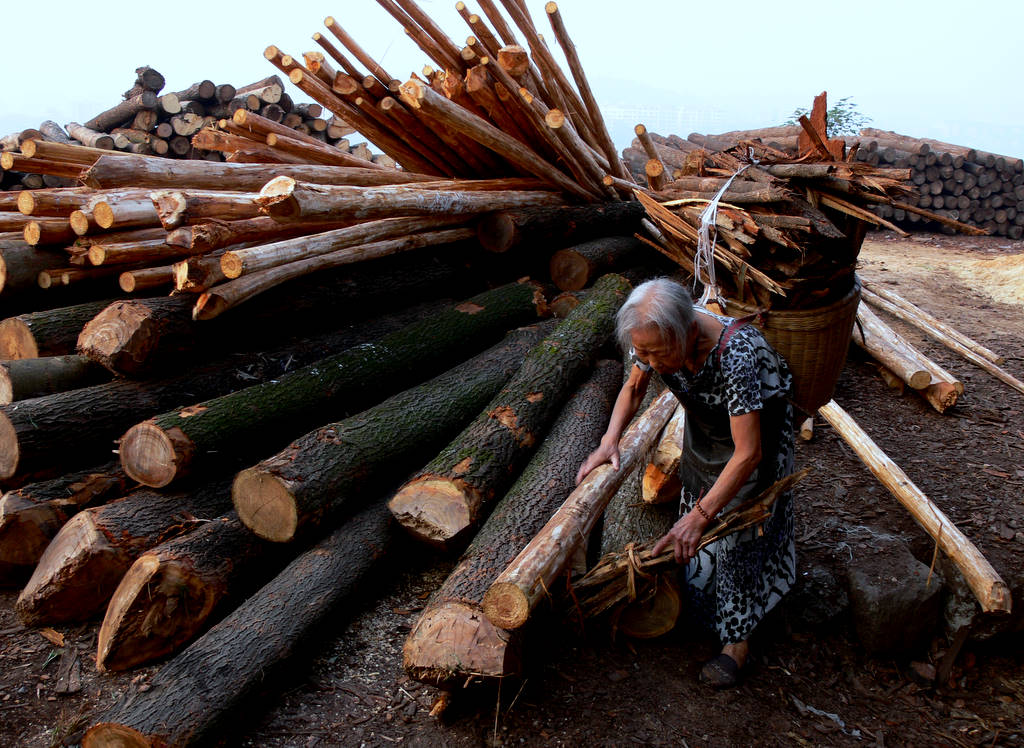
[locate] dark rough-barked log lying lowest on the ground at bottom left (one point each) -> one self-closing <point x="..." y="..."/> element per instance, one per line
<point x="193" y="694"/>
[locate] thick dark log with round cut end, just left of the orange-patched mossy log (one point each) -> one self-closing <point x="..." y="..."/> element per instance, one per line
<point x="320" y="475"/>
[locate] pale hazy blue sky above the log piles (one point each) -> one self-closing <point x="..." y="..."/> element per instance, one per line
<point x="941" y="69"/>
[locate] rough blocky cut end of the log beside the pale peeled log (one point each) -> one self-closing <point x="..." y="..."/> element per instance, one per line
<point x="453" y="642"/>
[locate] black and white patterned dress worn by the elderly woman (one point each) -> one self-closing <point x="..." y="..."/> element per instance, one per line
<point x="733" y="584"/>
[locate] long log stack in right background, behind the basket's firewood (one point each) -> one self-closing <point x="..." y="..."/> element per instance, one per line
<point x="956" y="183"/>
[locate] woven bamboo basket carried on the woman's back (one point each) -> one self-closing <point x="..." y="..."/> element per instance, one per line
<point x="814" y="342"/>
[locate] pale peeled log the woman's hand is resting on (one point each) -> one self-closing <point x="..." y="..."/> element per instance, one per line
<point x="525" y="584"/>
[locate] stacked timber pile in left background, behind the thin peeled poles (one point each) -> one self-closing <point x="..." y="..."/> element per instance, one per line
<point x="149" y="122"/>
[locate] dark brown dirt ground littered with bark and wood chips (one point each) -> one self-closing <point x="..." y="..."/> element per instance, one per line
<point x="809" y="682"/>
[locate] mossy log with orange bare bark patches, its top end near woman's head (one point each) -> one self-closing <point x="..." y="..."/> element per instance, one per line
<point x="449" y="497"/>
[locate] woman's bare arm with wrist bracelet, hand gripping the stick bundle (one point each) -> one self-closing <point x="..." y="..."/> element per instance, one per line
<point x="686" y="534"/>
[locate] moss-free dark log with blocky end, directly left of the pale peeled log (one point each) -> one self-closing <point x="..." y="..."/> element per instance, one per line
<point x="453" y="640"/>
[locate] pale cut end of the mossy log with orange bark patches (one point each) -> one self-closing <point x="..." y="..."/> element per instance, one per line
<point x="435" y="511"/>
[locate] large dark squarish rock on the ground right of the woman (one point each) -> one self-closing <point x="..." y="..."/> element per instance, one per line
<point x="894" y="606"/>
